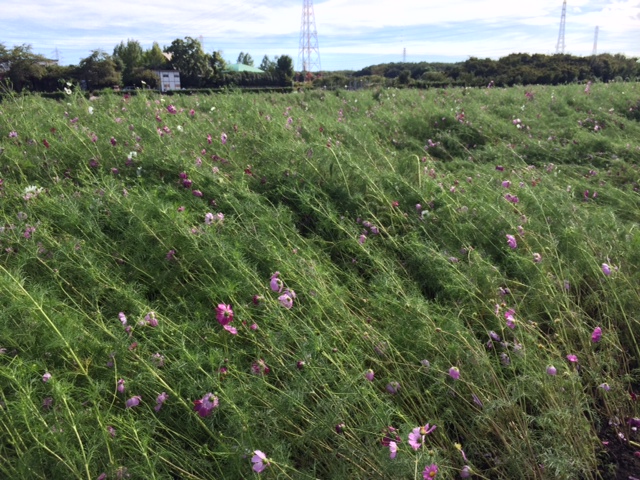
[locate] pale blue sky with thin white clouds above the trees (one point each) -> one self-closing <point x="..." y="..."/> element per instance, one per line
<point x="351" y="34"/>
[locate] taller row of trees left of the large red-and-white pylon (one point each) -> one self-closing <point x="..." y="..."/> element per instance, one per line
<point x="131" y="65"/>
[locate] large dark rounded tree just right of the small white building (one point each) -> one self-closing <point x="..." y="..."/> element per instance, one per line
<point x="190" y="60"/>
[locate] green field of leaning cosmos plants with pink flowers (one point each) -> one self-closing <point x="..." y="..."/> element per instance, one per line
<point x="321" y="285"/>
